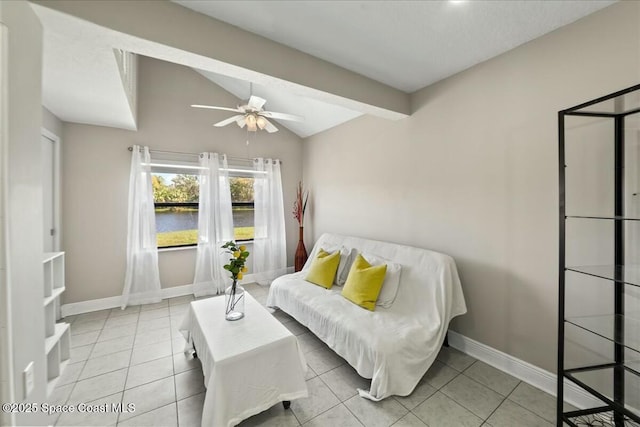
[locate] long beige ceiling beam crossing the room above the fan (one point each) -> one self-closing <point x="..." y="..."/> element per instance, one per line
<point x="168" y="31"/>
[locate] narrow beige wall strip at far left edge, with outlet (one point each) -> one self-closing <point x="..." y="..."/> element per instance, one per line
<point x="25" y="199"/>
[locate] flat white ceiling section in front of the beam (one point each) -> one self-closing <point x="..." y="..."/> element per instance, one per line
<point x="404" y="44"/>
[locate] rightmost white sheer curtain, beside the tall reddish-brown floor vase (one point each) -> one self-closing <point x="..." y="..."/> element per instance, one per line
<point x="269" y="245"/>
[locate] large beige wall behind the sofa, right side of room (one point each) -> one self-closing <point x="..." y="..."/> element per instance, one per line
<point x="473" y="173"/>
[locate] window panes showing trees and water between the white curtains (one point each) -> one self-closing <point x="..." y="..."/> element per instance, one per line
<point x="176" y="203"/>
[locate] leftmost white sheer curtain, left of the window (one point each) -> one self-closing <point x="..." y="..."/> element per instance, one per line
<point x="142" y="279"/>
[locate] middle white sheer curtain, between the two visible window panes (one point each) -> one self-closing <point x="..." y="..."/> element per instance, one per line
<point x="215" y="226"/>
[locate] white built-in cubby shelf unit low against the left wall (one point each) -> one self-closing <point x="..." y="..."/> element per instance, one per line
<point x="57" y="335"/>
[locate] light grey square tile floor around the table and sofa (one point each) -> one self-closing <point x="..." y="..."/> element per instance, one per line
<point x="135" y="356"/>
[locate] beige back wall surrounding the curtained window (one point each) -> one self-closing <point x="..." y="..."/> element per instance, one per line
<point x="96" y="173"/>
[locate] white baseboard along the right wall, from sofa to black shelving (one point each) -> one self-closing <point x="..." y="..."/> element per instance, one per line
<point x="531" y="374"/>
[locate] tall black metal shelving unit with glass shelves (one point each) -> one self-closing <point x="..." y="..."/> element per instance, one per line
<point x="617" y="331"/>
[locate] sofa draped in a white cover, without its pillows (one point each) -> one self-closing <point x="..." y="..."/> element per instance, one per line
<point x="394" y="346"/>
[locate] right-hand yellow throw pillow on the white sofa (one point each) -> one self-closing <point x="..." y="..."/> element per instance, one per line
<point x="364" y="283"/>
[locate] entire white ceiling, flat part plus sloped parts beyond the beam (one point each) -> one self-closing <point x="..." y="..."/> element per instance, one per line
<point x="404" y="44"/>
